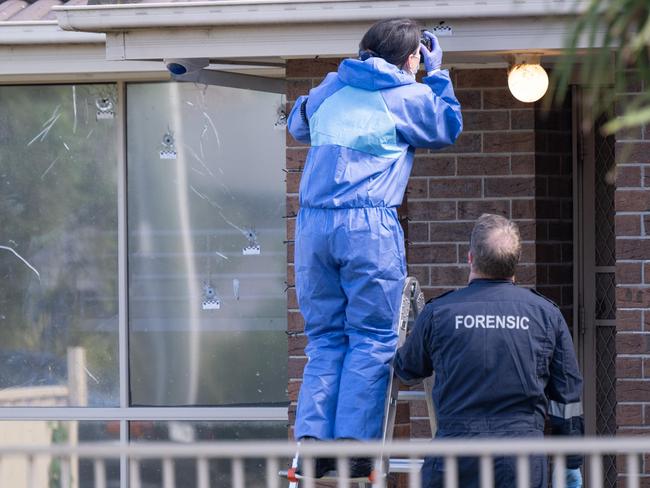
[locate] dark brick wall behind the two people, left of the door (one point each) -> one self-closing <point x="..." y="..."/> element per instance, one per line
<point x="511" y="159"/>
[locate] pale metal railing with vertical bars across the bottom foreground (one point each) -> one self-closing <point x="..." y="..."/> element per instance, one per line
<point x="405" y="457"/>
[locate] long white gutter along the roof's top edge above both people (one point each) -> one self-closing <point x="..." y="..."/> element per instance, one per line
<point x="105" y="18"/>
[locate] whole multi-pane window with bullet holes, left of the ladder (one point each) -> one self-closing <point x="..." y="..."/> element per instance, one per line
<point x="144" y="262"/>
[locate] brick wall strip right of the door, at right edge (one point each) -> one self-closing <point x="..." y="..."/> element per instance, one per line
<point x="633" y="285"/>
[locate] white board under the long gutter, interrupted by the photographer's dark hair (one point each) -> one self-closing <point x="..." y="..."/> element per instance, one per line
<point x="538" y="34"/>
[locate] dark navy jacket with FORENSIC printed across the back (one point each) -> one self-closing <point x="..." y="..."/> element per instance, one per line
<point x="503" y="360"/>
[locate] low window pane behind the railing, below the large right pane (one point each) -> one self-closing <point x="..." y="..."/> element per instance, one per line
<point x="220" y="470"/>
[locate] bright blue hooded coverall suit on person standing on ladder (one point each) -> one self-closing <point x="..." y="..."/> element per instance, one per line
<point x="363" y="123"/>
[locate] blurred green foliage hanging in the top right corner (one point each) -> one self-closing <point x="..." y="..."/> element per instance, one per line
<point x="617" y="61"/>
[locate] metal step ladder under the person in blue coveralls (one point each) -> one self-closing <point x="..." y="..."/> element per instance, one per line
<point x="411" y="306"/>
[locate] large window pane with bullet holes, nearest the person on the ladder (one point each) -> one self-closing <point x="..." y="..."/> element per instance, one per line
<point x="207" y="258"/>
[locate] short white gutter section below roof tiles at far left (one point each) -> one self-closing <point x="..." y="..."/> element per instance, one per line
<point x="44" y="32"/>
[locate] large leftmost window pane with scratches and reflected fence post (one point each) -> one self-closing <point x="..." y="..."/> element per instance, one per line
<point x="58" y="246"/>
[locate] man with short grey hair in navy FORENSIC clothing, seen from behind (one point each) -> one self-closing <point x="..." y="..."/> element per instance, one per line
<point x="503" y="360"/>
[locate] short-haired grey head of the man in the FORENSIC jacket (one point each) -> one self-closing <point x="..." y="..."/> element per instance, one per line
<point x="495" y="245"/>
